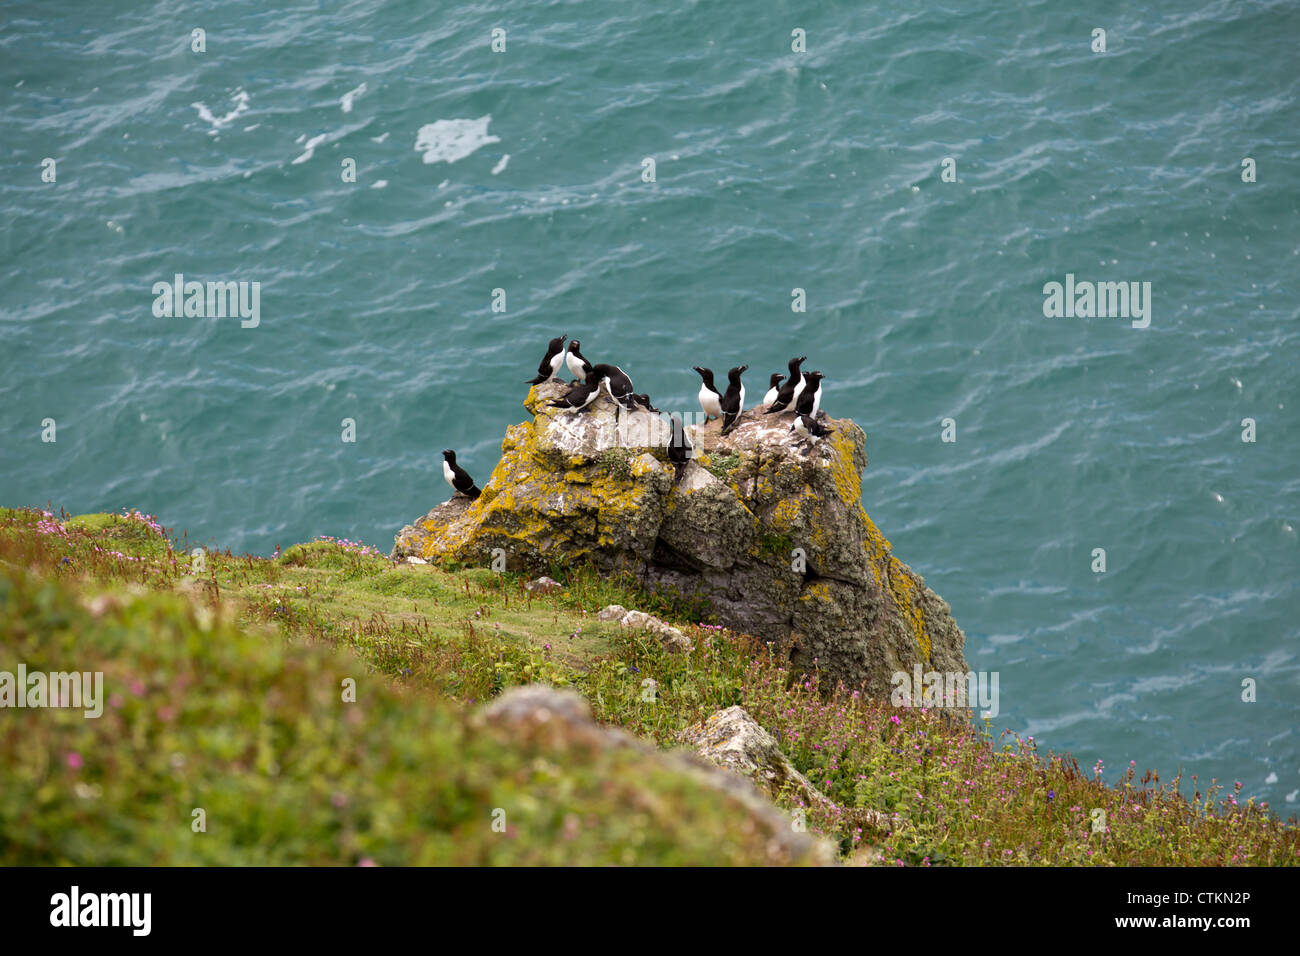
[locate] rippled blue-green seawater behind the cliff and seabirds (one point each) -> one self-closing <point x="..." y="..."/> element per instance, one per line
<point x="775" y="171"/>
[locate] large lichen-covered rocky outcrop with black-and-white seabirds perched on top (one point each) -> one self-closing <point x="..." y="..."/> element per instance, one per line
<point x="770" y="533"/>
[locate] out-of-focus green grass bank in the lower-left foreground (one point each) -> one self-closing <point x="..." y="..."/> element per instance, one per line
<point x="226" y="725"/>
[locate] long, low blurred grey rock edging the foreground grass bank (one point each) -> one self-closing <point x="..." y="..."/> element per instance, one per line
<point x="562" y="720"/>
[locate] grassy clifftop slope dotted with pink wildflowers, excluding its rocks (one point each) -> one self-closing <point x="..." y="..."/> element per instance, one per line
<point x="241" y="715"/>
